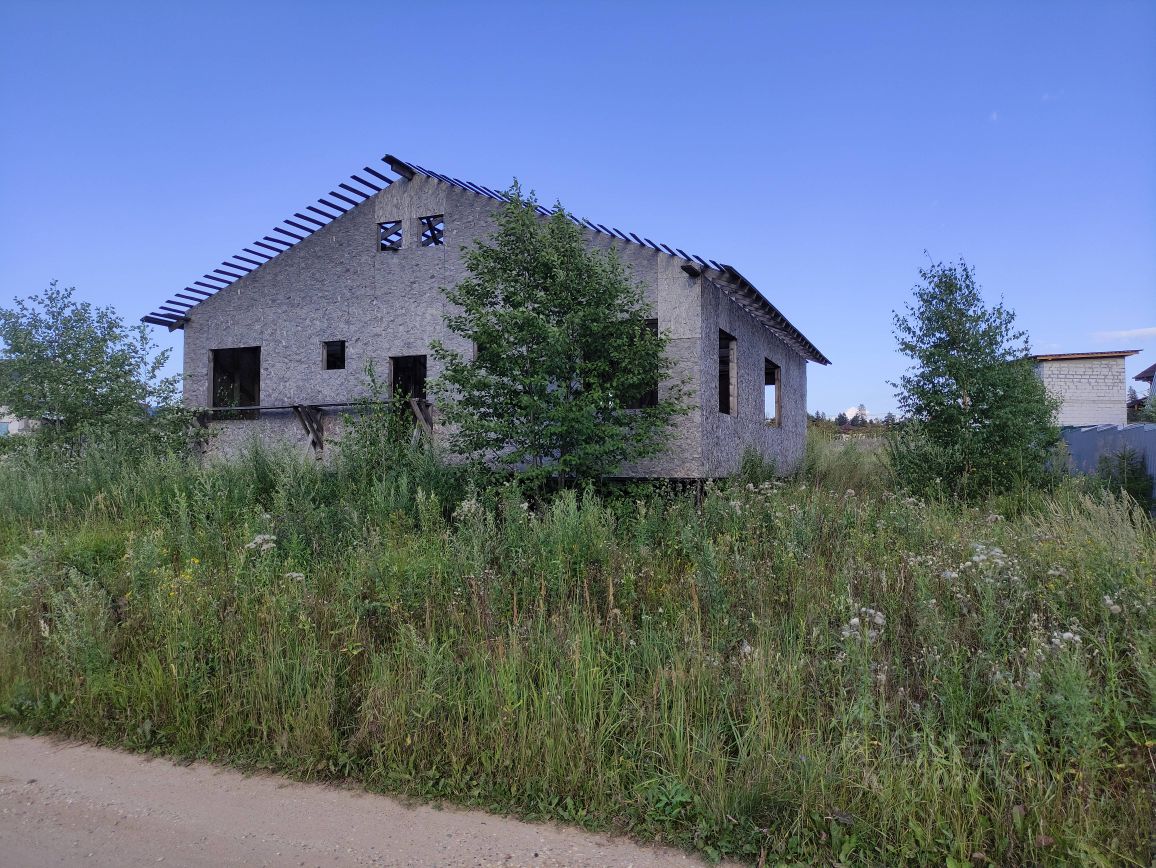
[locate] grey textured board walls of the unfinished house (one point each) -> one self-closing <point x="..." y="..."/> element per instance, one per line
<point x="336" y="285"/>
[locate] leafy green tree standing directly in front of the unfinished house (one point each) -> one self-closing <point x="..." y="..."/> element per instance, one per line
<point x="565" y="380"/>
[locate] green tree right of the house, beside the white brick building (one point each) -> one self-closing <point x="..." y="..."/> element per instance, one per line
<point x="981" y="419"/>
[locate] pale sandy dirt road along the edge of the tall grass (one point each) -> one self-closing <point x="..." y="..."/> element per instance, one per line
<point x="64" y="805"/>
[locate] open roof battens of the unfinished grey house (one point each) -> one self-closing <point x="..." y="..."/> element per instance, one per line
<point x="373" y="181"/>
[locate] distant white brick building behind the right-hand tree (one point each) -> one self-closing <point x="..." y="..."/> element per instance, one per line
<point x="1091" y="387"/>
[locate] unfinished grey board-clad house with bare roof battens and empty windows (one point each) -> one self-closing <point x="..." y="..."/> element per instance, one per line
<point x="277" y="338"/>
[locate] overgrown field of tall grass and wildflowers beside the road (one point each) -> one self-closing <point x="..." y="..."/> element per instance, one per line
<point x="803" y="670"/>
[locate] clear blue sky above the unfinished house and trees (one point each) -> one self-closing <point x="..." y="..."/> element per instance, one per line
<point x="819" y="147"/>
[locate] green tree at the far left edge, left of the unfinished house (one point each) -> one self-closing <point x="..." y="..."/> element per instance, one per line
<point x="83" y="373"/>
